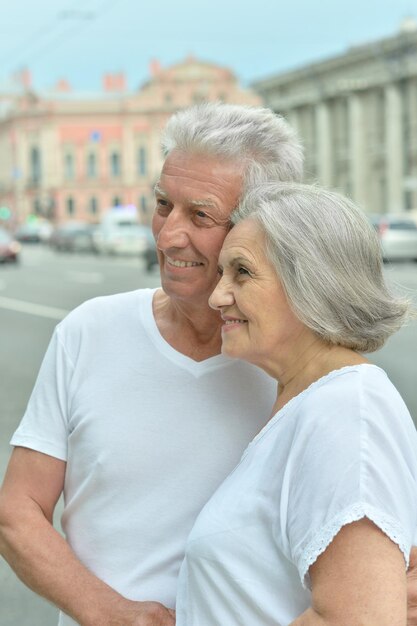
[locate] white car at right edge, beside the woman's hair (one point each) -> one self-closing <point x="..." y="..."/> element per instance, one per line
<point x="398" y="236"/>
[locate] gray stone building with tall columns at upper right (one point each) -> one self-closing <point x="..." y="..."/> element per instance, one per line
<point x="357" y="116"/>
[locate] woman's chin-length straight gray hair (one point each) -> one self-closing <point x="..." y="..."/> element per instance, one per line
<point x="328" y="259"/>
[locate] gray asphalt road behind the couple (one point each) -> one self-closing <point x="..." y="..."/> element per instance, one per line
<point x="35" y="295"/>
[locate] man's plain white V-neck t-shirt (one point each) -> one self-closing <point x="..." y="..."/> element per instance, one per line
<point x="148" y="434"/>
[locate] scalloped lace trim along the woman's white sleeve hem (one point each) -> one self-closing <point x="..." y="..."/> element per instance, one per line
<point x="321" y="541"/>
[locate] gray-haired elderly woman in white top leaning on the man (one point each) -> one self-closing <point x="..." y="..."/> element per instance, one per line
<point x="314" y="526"/>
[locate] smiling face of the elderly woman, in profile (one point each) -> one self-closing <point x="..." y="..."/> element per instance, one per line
<point x="258" y="321"/>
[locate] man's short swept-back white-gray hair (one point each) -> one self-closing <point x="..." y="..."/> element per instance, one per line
<point x="263" y="143"/>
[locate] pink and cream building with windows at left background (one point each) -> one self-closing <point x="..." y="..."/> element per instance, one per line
<point x="68" y="156"/>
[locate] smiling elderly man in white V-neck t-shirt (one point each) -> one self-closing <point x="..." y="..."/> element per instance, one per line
<point x="135" y="415"/>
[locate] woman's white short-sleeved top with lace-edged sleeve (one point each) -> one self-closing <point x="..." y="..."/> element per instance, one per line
<point x="343" y="449"/>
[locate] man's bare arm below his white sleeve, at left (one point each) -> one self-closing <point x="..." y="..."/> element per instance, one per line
<point x="44" y="561"/>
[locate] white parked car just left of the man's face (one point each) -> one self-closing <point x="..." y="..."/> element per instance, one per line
<point x="122" y="239"/>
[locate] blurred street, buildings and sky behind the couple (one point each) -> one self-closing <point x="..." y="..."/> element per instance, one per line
<point x="85" y="88"/>
